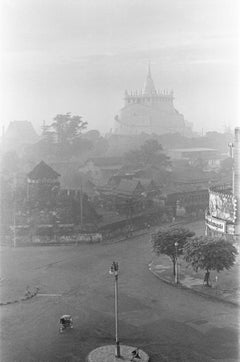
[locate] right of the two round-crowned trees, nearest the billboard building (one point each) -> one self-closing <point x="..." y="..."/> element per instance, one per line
<point x="210" y="253"/>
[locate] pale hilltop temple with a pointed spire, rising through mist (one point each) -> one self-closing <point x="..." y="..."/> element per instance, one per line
<point x="150" y="111"/>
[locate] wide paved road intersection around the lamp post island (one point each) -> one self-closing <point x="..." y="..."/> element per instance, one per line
<point x="168" y="323"/>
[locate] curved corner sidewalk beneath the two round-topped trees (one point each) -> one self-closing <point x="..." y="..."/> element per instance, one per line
<point x="224" y="285"/>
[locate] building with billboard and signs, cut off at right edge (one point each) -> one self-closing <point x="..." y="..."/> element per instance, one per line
<point x="222" y="217"/>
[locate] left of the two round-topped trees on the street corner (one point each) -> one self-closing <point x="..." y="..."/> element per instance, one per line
<point x="164" y="242"/>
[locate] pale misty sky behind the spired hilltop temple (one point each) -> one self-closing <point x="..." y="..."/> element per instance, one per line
<point x="79" y="56"/>
